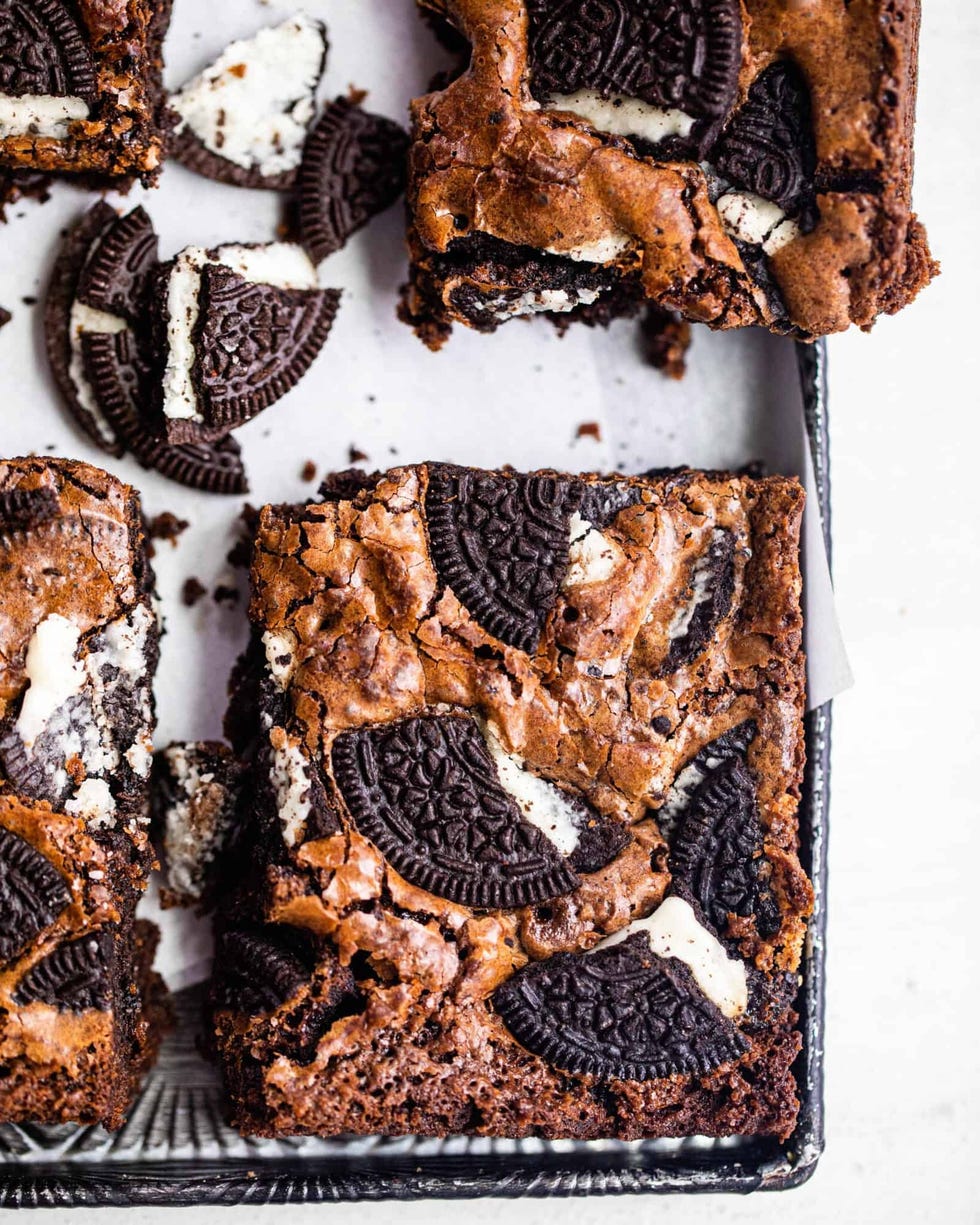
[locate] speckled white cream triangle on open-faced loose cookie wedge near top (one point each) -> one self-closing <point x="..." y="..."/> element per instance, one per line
<point x="253" y="106"/>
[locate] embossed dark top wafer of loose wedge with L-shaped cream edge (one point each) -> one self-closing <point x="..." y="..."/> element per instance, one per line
<point x="254" y="344"/>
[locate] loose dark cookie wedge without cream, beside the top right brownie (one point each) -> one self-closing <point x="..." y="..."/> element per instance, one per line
<point x="353" y="167"/>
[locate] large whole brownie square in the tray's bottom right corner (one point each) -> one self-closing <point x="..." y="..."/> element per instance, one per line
<point x="516" y="854"/>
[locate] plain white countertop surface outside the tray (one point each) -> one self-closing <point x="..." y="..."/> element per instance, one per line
<point x="903" y="1070"/>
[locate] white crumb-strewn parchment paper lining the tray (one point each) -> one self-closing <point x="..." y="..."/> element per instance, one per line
<point x="516" y="398"/>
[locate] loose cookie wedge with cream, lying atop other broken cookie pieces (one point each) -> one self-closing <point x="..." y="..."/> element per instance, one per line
<point x="242" y="325"/>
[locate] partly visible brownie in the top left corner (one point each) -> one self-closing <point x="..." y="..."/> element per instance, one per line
<point x="81" y="88"/>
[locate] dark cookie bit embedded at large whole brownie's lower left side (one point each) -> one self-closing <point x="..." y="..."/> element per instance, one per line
<point x="257" y="972"/>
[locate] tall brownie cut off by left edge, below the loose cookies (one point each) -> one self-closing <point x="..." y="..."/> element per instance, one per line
<point x="81" y="1012"/>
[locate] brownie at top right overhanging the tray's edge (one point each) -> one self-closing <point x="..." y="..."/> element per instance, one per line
<point x="739" y="162"/>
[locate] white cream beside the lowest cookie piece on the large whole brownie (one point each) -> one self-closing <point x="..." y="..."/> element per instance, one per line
<point x="674" y="932"/>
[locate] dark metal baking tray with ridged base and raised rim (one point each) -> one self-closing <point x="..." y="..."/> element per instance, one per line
<point x="176" y="1148"/>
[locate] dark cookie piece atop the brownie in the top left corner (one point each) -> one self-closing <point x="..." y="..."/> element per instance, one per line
<point x="45" y="51"/>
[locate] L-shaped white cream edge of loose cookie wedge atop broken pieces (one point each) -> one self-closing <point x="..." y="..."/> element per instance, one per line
<point x="284" y="265"/>
